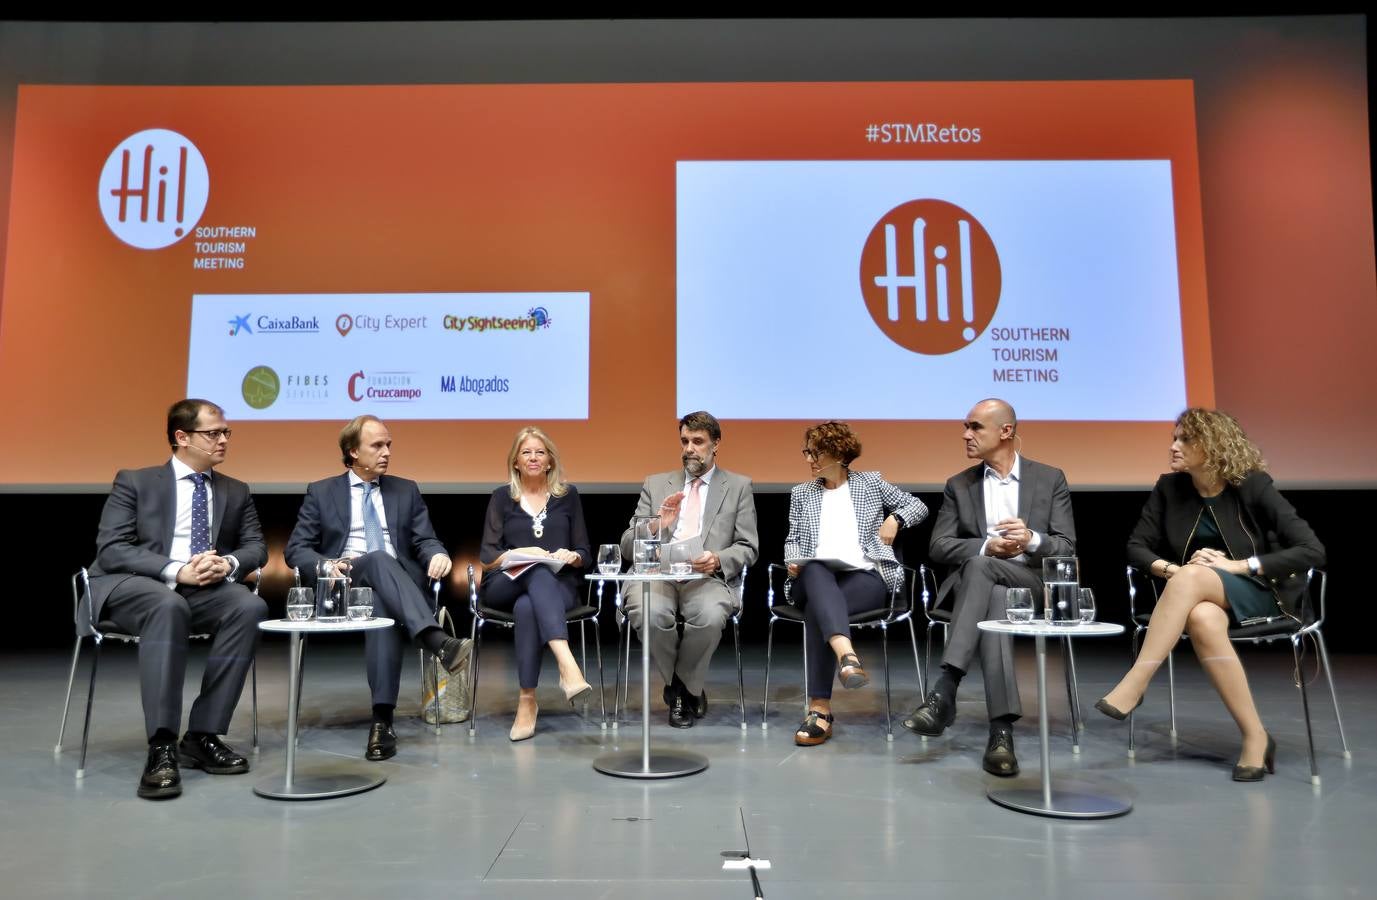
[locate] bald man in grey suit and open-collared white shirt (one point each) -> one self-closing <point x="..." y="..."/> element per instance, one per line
<point x="999" y="521"/>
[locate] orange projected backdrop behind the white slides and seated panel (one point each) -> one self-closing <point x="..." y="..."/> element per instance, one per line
<point x="501" y="189"/>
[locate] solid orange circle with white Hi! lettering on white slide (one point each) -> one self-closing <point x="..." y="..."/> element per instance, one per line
<point x="930" y="277"/>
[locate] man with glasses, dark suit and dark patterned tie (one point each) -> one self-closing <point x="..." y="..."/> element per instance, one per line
<point x="159" y="575"/>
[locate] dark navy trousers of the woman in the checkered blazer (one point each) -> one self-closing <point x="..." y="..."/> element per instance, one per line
<point x="828" y="601"/>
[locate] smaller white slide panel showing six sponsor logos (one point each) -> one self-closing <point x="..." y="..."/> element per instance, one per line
<point x="396" y="356"/>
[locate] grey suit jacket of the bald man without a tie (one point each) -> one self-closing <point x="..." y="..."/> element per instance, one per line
<point x="1044" y="506"/>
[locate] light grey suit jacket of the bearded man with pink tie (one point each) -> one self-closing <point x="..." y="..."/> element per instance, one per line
<point x="729" y="518"/>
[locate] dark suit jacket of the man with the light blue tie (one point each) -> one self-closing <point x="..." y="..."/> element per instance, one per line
<point x="324" y="522"/>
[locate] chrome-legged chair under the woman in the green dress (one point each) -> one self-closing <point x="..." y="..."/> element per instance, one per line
<point x="1306" y="624"/>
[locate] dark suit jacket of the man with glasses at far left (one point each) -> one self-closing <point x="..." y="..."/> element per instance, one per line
<point x="140" y="515"/>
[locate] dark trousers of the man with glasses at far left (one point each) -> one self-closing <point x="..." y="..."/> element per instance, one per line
<point x="165" y="619"/>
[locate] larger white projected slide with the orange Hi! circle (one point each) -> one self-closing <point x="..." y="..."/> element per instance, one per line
<point x="907" y="290"/>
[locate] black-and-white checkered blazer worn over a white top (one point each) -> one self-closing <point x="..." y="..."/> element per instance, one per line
<point x="874" y="499"/>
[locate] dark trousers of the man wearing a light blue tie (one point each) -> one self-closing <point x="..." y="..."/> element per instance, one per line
<point x="399" y="598"/>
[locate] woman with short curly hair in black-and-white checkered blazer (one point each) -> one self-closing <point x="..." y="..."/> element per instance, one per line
<point x="841" y="559"/>
